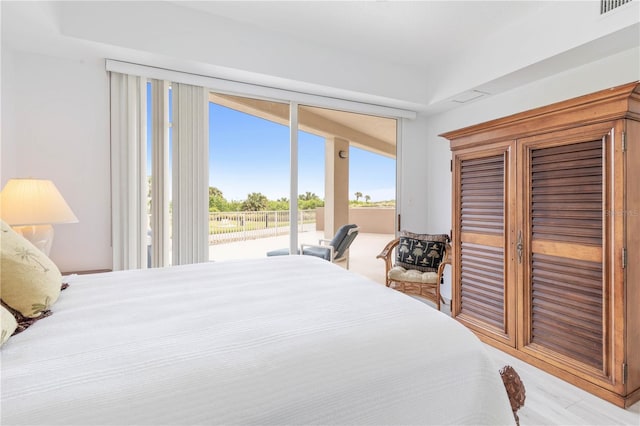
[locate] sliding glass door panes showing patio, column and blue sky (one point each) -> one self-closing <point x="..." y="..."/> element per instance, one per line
<point x="273" y="188"/>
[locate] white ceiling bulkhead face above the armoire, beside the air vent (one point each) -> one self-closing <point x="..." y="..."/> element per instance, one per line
<point x="556" y="35"/>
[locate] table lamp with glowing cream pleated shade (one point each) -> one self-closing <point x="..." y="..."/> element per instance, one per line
<point x="31" y="206"/>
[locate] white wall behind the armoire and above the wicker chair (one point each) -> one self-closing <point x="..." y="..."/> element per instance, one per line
<point x="425" y="163"/>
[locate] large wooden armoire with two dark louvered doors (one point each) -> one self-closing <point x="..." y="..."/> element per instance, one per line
<point x="546" y="238"/>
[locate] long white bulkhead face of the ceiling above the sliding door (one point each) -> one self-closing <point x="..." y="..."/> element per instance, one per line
<point x="207" y="44"/>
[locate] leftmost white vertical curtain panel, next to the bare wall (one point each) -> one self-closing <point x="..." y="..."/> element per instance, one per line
<point x="128" y="171"/>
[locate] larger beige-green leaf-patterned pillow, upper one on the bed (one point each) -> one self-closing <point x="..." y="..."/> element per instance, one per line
<point x="30" y="280"/>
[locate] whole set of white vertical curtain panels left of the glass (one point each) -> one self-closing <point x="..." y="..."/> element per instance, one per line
<point x="187" y="183"/>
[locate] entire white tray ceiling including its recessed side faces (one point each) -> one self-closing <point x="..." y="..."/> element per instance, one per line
<point x="419" y="56"/>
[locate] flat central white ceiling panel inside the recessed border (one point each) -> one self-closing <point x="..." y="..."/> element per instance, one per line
<point x="381" y="30"/>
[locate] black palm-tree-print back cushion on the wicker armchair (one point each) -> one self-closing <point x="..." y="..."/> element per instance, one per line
<point x="422" y="252"/>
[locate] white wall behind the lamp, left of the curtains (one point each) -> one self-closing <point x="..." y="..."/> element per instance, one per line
<point x="59" y="130"/>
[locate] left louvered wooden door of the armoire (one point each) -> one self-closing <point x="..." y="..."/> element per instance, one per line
<point x="483" y="292"/>
